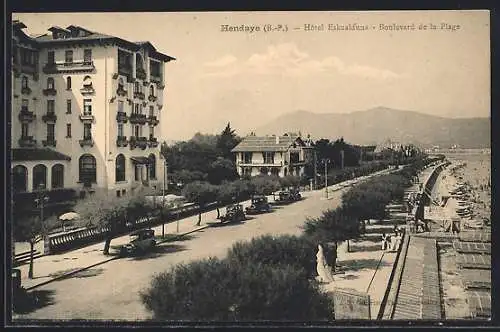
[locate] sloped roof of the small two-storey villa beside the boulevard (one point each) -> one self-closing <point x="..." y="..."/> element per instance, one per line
<point x="267" y="143"/>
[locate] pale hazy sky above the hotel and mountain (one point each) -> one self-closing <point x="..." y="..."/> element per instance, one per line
<point x="250" y="78"/>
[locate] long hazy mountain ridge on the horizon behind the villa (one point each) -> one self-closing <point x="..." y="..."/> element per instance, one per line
<point x="378" y="124"/>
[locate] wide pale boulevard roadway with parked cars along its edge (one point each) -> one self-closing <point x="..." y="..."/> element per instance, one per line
<point x="111" y="291"/>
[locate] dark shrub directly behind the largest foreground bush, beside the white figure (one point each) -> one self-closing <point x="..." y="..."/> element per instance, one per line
<point x="285" y="250"/>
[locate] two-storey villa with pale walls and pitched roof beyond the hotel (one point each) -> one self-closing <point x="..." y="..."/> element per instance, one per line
<point x="283" y="155"/>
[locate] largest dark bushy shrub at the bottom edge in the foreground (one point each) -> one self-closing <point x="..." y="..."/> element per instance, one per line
<point x="214" y="289"/>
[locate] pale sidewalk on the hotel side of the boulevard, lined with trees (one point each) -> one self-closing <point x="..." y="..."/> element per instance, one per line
<point x="50" y="267"/>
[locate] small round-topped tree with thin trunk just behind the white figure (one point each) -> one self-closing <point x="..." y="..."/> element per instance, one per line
<point x="332" y="227"/>
